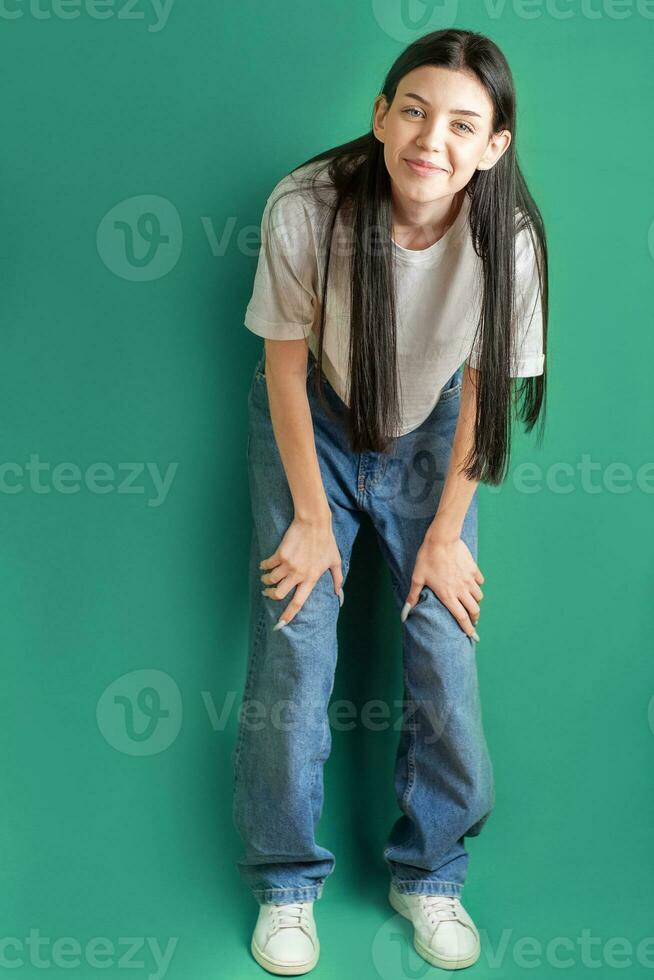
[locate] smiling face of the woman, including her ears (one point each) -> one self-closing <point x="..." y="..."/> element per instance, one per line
<point x="442" y="117"/>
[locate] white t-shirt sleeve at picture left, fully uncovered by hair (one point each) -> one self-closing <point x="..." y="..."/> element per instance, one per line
<point x="283" y="300"/>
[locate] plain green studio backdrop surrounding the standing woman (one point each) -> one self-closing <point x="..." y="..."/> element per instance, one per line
<point x="124" y="620"/>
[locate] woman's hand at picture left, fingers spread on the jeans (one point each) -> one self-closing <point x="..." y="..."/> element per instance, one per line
<point x="306" y="551"/>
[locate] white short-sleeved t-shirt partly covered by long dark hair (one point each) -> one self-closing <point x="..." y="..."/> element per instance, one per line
<point x="438" y="292"/>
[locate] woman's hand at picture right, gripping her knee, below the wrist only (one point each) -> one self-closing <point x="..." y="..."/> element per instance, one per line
<point x="445" y="564"/>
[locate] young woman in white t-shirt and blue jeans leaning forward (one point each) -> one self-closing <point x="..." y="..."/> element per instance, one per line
<point x="402" y="291"/>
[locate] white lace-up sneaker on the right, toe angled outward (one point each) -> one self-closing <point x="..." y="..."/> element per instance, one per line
<point x="444" y="934"/>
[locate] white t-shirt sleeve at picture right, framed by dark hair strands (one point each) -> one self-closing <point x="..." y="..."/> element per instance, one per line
<point x="529" y="358"/>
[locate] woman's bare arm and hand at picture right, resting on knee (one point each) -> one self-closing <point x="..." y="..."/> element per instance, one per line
<point x="444" y="562"/>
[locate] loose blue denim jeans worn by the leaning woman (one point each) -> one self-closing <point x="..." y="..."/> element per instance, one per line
<point x="443" y="774"/>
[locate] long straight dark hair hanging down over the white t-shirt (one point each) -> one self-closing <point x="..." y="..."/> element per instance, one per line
<point x="358" y="175"/>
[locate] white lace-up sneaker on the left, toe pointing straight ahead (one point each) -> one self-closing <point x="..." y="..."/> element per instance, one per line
<point x="285" y="940"/>
